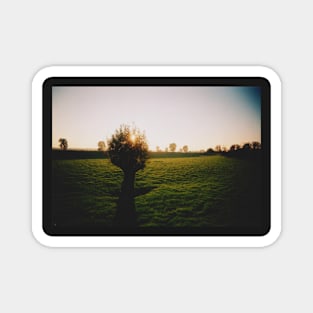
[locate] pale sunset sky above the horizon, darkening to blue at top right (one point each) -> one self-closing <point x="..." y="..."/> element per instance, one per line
<point x="199" y="117"/>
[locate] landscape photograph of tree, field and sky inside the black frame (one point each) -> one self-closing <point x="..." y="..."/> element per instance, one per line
<point x="157" y="159"/>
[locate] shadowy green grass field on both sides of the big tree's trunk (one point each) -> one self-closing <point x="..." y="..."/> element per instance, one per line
<point x="198" y="191"/>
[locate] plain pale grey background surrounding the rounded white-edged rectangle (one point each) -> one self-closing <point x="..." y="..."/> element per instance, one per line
<point x="35" y="34"/>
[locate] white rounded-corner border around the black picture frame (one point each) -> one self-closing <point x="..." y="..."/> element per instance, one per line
<point x="156" y="241"/>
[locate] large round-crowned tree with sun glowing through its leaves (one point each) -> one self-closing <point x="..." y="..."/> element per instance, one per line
<point x="128" y="149"/>
